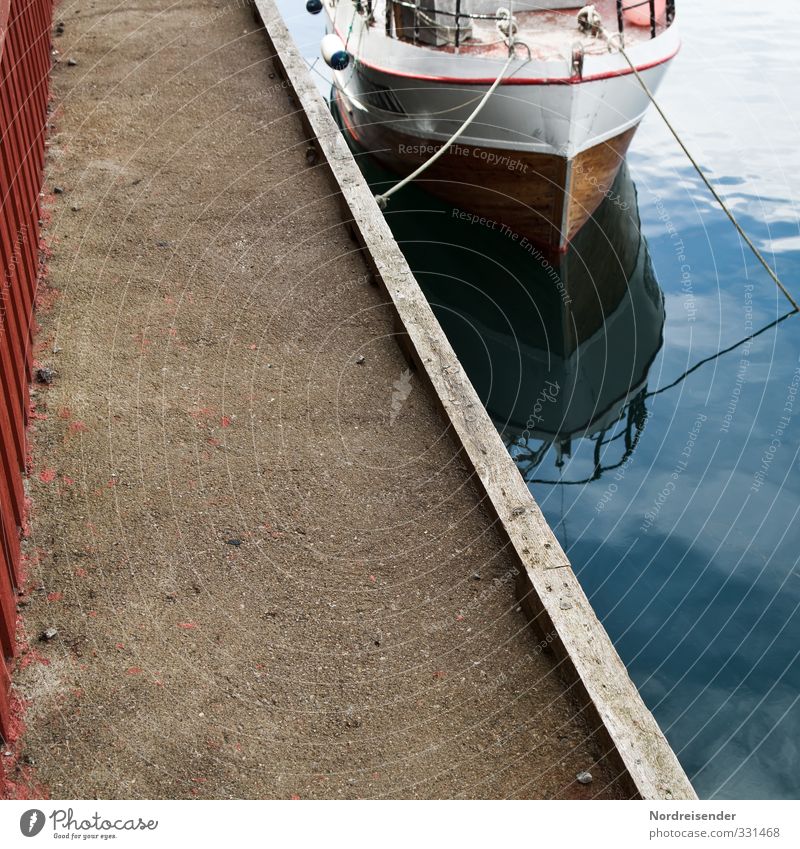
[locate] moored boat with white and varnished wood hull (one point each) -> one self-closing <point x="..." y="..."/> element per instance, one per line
<point x="546" y="145"/>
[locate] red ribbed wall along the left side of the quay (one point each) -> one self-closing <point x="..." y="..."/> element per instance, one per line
<point x="24" y="72"/>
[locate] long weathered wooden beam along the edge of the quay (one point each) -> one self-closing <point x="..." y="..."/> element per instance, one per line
<point x="547" y="585"/>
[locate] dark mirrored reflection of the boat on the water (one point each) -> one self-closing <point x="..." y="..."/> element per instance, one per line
<point x="558" y="348"/>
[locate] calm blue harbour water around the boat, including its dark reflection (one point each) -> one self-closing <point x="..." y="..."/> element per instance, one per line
<point x="675" y="495"/>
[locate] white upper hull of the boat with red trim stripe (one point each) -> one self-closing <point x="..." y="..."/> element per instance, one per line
<point x="541" y="107"/>
